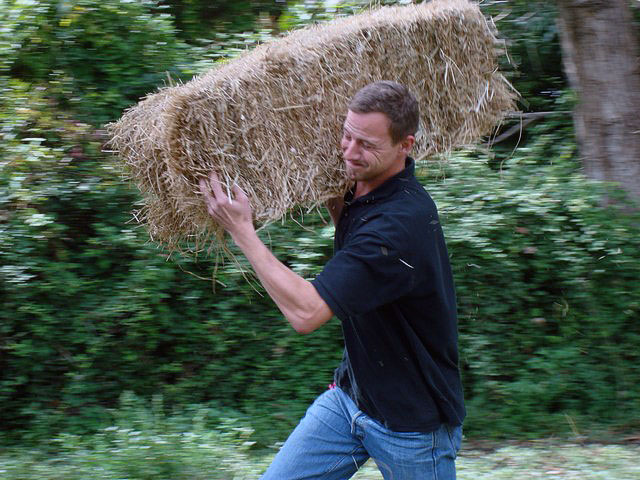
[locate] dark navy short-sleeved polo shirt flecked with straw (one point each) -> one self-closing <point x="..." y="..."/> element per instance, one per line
<point x="390" y="284"/>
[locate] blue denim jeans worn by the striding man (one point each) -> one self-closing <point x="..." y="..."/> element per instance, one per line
<point x="334" y="439"/>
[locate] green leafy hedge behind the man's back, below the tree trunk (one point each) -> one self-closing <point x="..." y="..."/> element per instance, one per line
<point x="547" y="291"/>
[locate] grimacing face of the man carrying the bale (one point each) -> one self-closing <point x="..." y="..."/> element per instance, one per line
<point x="368" y="151"/>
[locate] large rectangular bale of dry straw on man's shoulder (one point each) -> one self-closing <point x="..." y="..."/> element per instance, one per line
<point x="271" y="120"/>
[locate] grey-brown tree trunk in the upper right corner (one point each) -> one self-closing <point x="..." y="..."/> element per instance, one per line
<point x="600" y="55"/>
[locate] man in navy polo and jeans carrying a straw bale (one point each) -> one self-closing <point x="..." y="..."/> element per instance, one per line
<point x="397" y="396"/>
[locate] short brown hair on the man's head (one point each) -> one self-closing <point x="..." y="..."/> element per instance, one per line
<point x="395" y="101"/>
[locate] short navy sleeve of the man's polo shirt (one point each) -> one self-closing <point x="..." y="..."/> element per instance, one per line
<point x="371" y="270"/>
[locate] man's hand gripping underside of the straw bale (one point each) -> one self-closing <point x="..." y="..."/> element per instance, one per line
<point x="231" y="210"/>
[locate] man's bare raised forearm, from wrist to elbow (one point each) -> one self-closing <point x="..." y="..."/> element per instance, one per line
<point x="296" y="298"/>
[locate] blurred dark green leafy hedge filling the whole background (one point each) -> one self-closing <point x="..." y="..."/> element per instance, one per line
<point x="98" y="325"/>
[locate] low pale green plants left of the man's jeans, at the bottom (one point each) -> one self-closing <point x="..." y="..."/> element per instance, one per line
<point x="143" y="443"/>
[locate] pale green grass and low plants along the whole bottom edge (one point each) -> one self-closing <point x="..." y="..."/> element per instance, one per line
<point x="144" y="443"/>
